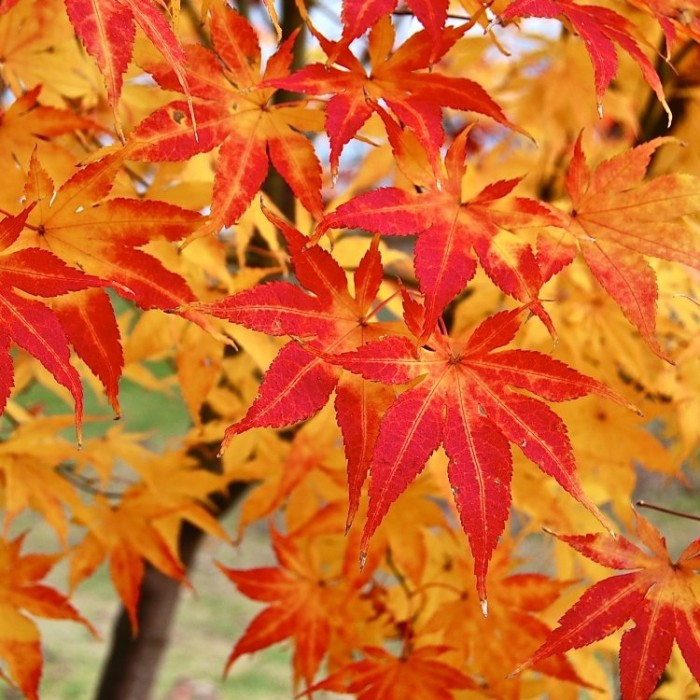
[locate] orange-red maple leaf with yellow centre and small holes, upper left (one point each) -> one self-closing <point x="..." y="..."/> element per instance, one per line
<point x="234" y="111"/>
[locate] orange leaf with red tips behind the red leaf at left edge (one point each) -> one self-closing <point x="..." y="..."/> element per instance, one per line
<point x="104" y="238"/>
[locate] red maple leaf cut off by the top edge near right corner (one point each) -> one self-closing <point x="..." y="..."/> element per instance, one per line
<point x="601" y="29"/>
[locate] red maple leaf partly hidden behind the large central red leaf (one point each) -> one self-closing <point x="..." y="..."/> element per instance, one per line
<point x="299" y="381"/>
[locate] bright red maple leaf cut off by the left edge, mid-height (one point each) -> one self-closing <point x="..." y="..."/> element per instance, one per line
<point x="29" y="323"/>
